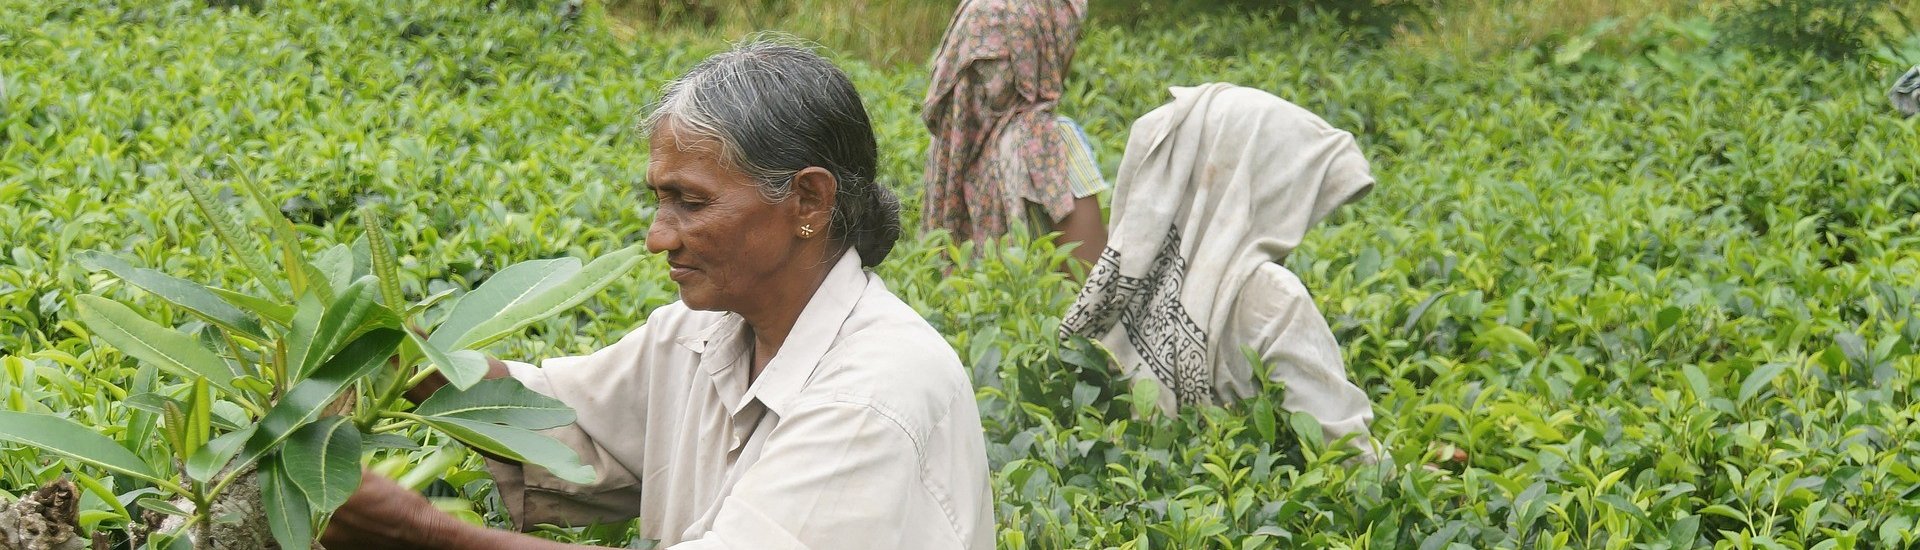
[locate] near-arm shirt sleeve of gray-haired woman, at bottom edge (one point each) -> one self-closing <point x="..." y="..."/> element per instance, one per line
<point x="832" y="476"/>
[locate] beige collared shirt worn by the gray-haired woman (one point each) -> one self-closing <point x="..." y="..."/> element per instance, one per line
<point x="861" y="434"/>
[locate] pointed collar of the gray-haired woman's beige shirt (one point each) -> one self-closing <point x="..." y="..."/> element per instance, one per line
<point x="811" y="337"/>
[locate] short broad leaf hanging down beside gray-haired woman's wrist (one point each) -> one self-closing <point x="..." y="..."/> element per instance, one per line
<point x="324" y="461"/>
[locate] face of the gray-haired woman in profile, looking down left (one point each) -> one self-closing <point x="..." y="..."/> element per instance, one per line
<point x="729" y="245"/>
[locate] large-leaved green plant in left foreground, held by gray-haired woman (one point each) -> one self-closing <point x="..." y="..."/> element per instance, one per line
<point x="308" y="374"/>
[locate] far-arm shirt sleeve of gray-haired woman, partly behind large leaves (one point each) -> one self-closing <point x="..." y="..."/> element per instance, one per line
<point x="533" y="495"/>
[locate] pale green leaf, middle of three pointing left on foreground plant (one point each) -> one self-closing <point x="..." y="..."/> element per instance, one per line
<point x="166" y="349"/>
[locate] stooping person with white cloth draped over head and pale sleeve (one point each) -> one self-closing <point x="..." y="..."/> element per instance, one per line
<point x="1214" y="191"/>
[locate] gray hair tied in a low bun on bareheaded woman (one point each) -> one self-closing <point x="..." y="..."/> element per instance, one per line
<point x="773" y="109"/>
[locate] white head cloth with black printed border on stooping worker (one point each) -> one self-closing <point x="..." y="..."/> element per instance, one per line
<point x="1212" y="186"/>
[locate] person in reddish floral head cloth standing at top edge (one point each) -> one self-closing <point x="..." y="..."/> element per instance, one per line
<point x="1001" y="157"/>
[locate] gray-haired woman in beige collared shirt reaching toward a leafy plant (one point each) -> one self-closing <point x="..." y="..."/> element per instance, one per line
<point x="788" y="401"/>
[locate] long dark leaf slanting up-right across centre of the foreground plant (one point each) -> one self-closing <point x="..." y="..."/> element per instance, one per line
<point x="304" y="403"/>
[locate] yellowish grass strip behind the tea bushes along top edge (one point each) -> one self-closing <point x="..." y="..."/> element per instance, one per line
<point x="907" y="32"/>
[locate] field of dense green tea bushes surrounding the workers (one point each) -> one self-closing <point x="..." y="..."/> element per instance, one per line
<point x="1660" y="301"/>
